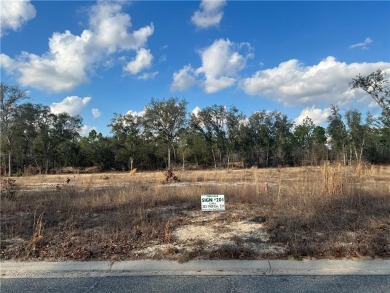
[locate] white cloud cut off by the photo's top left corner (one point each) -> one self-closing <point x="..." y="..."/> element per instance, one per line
<point x="14" y="14"/>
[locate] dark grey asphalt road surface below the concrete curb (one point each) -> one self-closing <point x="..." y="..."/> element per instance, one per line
<point x="172" y="284"/>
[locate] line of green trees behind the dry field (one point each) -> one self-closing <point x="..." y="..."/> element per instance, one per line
<point x="35" y="139"/>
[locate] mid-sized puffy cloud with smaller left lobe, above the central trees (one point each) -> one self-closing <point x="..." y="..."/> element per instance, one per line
<point x="221" y="63"/>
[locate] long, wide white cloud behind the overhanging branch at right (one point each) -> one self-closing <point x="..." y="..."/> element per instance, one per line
<point x="294" y="83"/>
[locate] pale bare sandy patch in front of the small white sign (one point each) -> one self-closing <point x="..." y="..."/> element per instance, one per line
<point x="212" y="231"/>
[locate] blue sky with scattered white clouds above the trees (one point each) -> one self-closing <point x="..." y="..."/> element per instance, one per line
<point x="97" y="58"/>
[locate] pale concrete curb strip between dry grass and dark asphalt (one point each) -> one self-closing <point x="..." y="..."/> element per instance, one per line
<point x="44" y="269"/>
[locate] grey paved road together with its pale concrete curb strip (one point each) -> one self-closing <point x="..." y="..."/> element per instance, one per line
<point x="196" y="276"/>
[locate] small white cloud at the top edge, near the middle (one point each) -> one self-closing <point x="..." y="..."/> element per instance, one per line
<point x="209" y="13"/>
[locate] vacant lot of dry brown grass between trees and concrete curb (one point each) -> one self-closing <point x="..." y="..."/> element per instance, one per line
<point x="320" y="212"/>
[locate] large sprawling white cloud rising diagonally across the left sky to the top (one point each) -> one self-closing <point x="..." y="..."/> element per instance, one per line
<point x="71" y="58"/>
